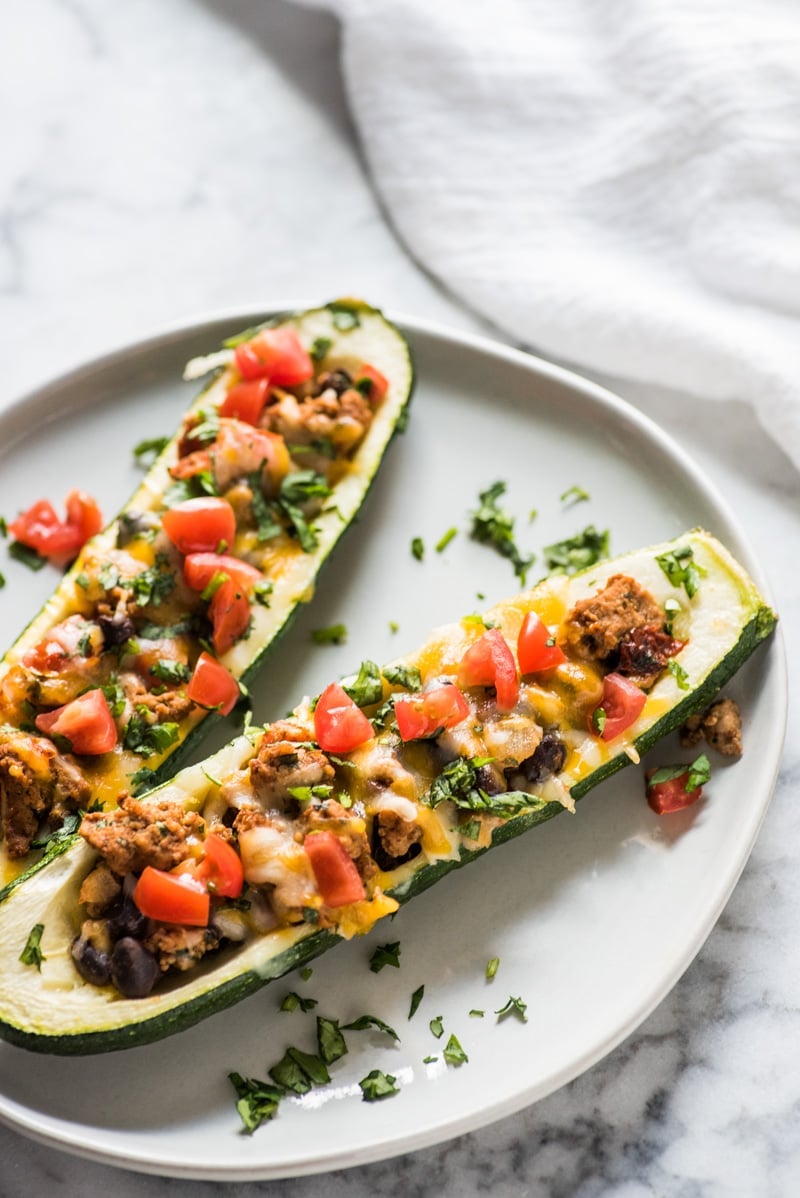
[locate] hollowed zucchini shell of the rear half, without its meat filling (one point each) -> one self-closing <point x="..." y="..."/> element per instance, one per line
<point x="343" y="336"/>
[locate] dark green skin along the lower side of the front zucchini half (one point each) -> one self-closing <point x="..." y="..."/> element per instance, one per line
<point x="757" y="628"/>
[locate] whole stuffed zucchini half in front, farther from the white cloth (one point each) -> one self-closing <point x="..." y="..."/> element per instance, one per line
<point x="307" y="832"/>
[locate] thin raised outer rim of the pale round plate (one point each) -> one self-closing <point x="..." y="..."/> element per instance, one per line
<point x="19" y="1117"/>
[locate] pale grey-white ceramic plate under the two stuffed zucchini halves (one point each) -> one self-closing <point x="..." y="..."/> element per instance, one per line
<point x="593" y="917"/>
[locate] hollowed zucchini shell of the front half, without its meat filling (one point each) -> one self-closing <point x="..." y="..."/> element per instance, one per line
<point x="51" y="1009"/>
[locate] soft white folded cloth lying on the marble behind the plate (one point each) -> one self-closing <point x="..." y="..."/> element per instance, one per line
<point x="615" y="184"/>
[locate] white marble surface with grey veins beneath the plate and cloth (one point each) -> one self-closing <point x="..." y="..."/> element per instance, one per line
<point x="163" y="162"/>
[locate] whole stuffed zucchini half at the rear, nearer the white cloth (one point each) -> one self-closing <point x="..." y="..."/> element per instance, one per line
<point x="180" y="598"/>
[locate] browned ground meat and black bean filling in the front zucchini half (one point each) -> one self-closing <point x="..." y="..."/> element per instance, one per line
<point x="292" y="789"/>
